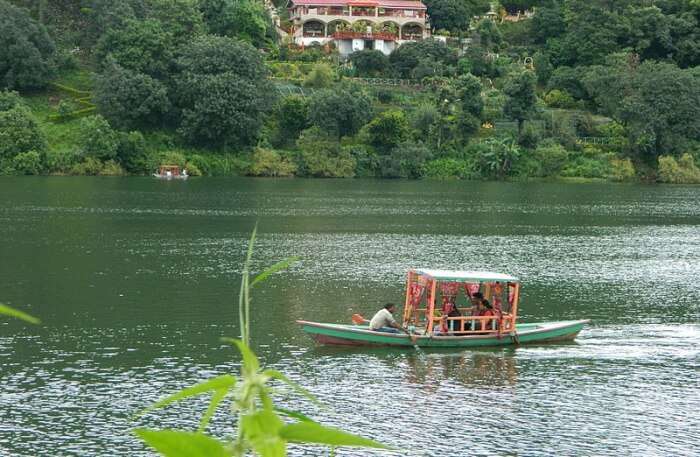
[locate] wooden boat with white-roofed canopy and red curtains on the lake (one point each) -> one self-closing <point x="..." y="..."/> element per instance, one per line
<point x="424" y="325"/>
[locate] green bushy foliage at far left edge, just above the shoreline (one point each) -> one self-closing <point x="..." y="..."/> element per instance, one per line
<point x="19" y="130"/>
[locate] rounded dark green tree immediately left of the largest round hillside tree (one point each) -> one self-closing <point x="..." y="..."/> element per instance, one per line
<point x="130" y="99"/>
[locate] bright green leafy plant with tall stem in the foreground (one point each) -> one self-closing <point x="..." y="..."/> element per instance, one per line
<point x="263" y="427"/>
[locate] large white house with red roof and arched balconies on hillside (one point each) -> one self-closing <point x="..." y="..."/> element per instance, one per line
<point x="354" y="25"/>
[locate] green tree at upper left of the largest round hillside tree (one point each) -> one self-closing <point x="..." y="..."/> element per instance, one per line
<point x="141" y="46"/>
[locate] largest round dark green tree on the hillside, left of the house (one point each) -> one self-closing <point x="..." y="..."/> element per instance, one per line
<point x="222" y="91"/>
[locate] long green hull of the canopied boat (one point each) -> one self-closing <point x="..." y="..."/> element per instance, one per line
<point x="358" y="335"/>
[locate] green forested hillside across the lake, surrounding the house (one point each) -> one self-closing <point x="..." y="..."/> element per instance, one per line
<point x="591" y="89"/>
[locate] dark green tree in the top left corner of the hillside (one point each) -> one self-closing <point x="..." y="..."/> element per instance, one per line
<point x="27" y="53"/>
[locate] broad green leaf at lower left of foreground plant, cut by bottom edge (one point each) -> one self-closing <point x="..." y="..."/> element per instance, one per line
<point x="173" y="443"/>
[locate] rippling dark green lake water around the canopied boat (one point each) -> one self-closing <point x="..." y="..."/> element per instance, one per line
<point x="136" y="280"/>
